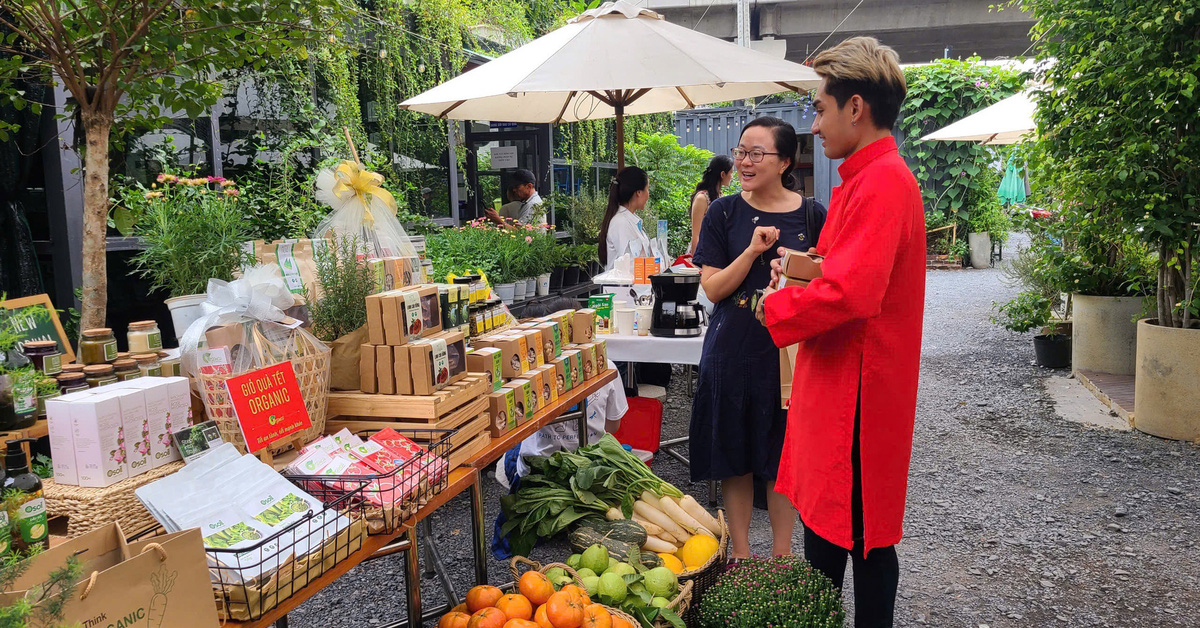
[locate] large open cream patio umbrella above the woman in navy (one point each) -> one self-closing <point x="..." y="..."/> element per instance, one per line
<point x="611" y="62"/>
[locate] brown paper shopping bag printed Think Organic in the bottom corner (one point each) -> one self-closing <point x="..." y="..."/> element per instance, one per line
<point x="160" y="583"/>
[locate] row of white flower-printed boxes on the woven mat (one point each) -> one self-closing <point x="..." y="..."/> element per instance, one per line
<point x="105" y="435"/>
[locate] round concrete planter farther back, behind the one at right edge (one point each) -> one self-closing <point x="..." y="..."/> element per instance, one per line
<point x="1105" y="334"/>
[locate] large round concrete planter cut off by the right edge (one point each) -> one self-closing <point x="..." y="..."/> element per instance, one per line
<point x="1167" y="399"/>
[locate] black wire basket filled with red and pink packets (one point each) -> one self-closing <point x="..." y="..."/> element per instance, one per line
<point x="389" y="499"/>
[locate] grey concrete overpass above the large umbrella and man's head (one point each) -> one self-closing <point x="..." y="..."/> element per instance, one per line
<point x="921" y="31"/>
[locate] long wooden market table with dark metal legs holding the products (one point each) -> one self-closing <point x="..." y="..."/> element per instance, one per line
<point x="461" y="480"/>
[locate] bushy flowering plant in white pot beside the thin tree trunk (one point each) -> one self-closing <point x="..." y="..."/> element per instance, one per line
<point x="191" y="230"/>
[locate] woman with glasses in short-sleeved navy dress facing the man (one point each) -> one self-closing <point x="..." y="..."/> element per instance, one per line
<point x="737" y="423"/>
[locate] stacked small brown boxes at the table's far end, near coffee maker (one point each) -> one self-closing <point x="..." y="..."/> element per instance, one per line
<point x="535" y="363"/>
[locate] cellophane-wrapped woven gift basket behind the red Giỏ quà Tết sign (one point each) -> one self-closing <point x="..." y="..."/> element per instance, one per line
<point x="309" y="357"/>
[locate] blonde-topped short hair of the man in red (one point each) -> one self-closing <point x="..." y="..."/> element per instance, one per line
<point x="865" y="67"/>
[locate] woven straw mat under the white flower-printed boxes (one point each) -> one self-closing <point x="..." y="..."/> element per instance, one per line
<point x="91" y="509"/>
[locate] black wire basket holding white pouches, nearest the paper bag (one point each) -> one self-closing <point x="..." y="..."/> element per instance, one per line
<point x="249" y="582"/>
